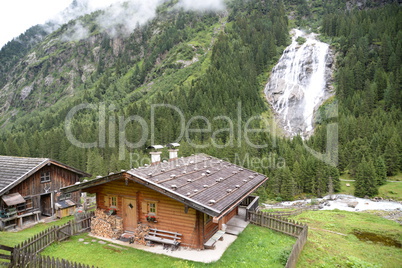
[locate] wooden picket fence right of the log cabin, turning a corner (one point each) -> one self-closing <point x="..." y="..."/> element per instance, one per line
<point x="286" y="226"/>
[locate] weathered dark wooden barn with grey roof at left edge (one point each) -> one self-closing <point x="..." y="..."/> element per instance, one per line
<point x="30" y="189"/>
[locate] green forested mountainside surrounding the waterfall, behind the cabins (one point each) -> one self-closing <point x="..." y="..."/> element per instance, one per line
<point x="212" y="67"/>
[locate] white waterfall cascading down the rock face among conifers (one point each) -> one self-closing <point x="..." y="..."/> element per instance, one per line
<point x="300" y="83"/>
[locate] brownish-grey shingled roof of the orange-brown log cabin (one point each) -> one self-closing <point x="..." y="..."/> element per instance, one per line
<point x="200" y="181"/>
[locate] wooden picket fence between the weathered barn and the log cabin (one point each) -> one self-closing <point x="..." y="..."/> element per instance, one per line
<point x="26" y="253"/>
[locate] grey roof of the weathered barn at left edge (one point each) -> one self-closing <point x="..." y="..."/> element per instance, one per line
<point x="13" y="169"/>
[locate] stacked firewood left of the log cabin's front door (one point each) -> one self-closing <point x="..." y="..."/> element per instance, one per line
<point x="106" y="226"/>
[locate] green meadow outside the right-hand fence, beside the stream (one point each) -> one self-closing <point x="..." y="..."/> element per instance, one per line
<point x="326" y="249"/>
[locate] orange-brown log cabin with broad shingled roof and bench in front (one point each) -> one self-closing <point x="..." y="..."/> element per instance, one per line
<point x="193" y="196"/>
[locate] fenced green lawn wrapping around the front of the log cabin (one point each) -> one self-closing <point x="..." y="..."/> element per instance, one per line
<point x="255" y="247"/>
